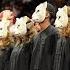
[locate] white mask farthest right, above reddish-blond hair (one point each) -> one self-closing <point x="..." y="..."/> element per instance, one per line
<point x="61" y="17"/>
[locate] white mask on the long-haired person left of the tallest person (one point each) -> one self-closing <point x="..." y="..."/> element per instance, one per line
<point x="19" y="28"/>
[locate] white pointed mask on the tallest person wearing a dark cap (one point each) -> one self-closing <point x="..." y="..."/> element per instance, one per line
<point x="40" y="12"/>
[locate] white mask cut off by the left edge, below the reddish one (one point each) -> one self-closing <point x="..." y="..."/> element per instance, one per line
<point x="3" y="30"/>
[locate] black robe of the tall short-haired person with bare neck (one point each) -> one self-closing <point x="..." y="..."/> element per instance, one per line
<point x="44" y="49"/>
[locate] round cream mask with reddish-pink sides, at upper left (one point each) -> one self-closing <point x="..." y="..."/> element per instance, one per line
<point x="7" y="17"/>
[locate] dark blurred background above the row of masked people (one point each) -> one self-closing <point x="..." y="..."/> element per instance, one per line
<point x="27" y="7"/>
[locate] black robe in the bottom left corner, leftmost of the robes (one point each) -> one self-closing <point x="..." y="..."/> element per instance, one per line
<point x="5" y="58"/>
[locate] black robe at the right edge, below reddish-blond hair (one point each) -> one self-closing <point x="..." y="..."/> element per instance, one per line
<point x="62" y="55"/>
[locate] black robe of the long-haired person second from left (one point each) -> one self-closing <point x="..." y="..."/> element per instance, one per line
<point x="20" y="57"/>
